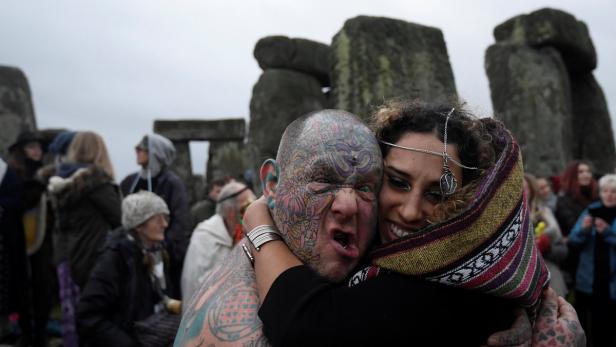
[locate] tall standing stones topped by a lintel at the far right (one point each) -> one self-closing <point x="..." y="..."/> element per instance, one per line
<point x="578" y="105"/>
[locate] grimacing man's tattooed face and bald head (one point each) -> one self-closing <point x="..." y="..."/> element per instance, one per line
<point x="326" y="198"/>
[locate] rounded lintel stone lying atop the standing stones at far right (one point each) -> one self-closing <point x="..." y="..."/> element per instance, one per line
<point x="554" y="28"/>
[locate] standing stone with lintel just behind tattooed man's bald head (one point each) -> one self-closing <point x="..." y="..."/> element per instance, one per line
<point x="291" y="85"/>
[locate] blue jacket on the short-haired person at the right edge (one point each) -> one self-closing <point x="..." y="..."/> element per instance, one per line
<point x="586" y="240"/>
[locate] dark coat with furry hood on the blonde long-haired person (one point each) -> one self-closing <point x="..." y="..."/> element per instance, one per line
<point x="87" y="206"/>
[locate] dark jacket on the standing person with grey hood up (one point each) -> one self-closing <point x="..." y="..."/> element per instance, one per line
<point x="168" y="186"/>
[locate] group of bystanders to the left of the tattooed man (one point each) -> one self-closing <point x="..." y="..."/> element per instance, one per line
<point x="109" y="256"/>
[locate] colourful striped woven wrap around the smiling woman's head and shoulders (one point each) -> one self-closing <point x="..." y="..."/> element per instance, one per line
<point x="488" y="247"/>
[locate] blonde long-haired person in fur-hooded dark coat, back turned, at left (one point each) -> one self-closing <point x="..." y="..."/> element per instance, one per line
<point x="86" y="203"/>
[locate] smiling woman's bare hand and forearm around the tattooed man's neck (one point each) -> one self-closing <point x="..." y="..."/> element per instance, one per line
<point x="274" y="257"/>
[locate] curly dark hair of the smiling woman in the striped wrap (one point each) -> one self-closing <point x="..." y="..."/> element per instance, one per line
<point x="468" y="133"/>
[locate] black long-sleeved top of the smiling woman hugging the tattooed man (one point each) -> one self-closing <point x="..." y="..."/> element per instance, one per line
<point x="303" y="309"/>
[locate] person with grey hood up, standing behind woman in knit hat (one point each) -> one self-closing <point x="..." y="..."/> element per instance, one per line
<point x="155" y="154"/>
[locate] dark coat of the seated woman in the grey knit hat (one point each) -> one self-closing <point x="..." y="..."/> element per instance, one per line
<point x="120" y="292"/>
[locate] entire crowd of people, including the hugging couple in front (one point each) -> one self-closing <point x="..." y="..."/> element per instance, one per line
<point x="406" y="212"/>
